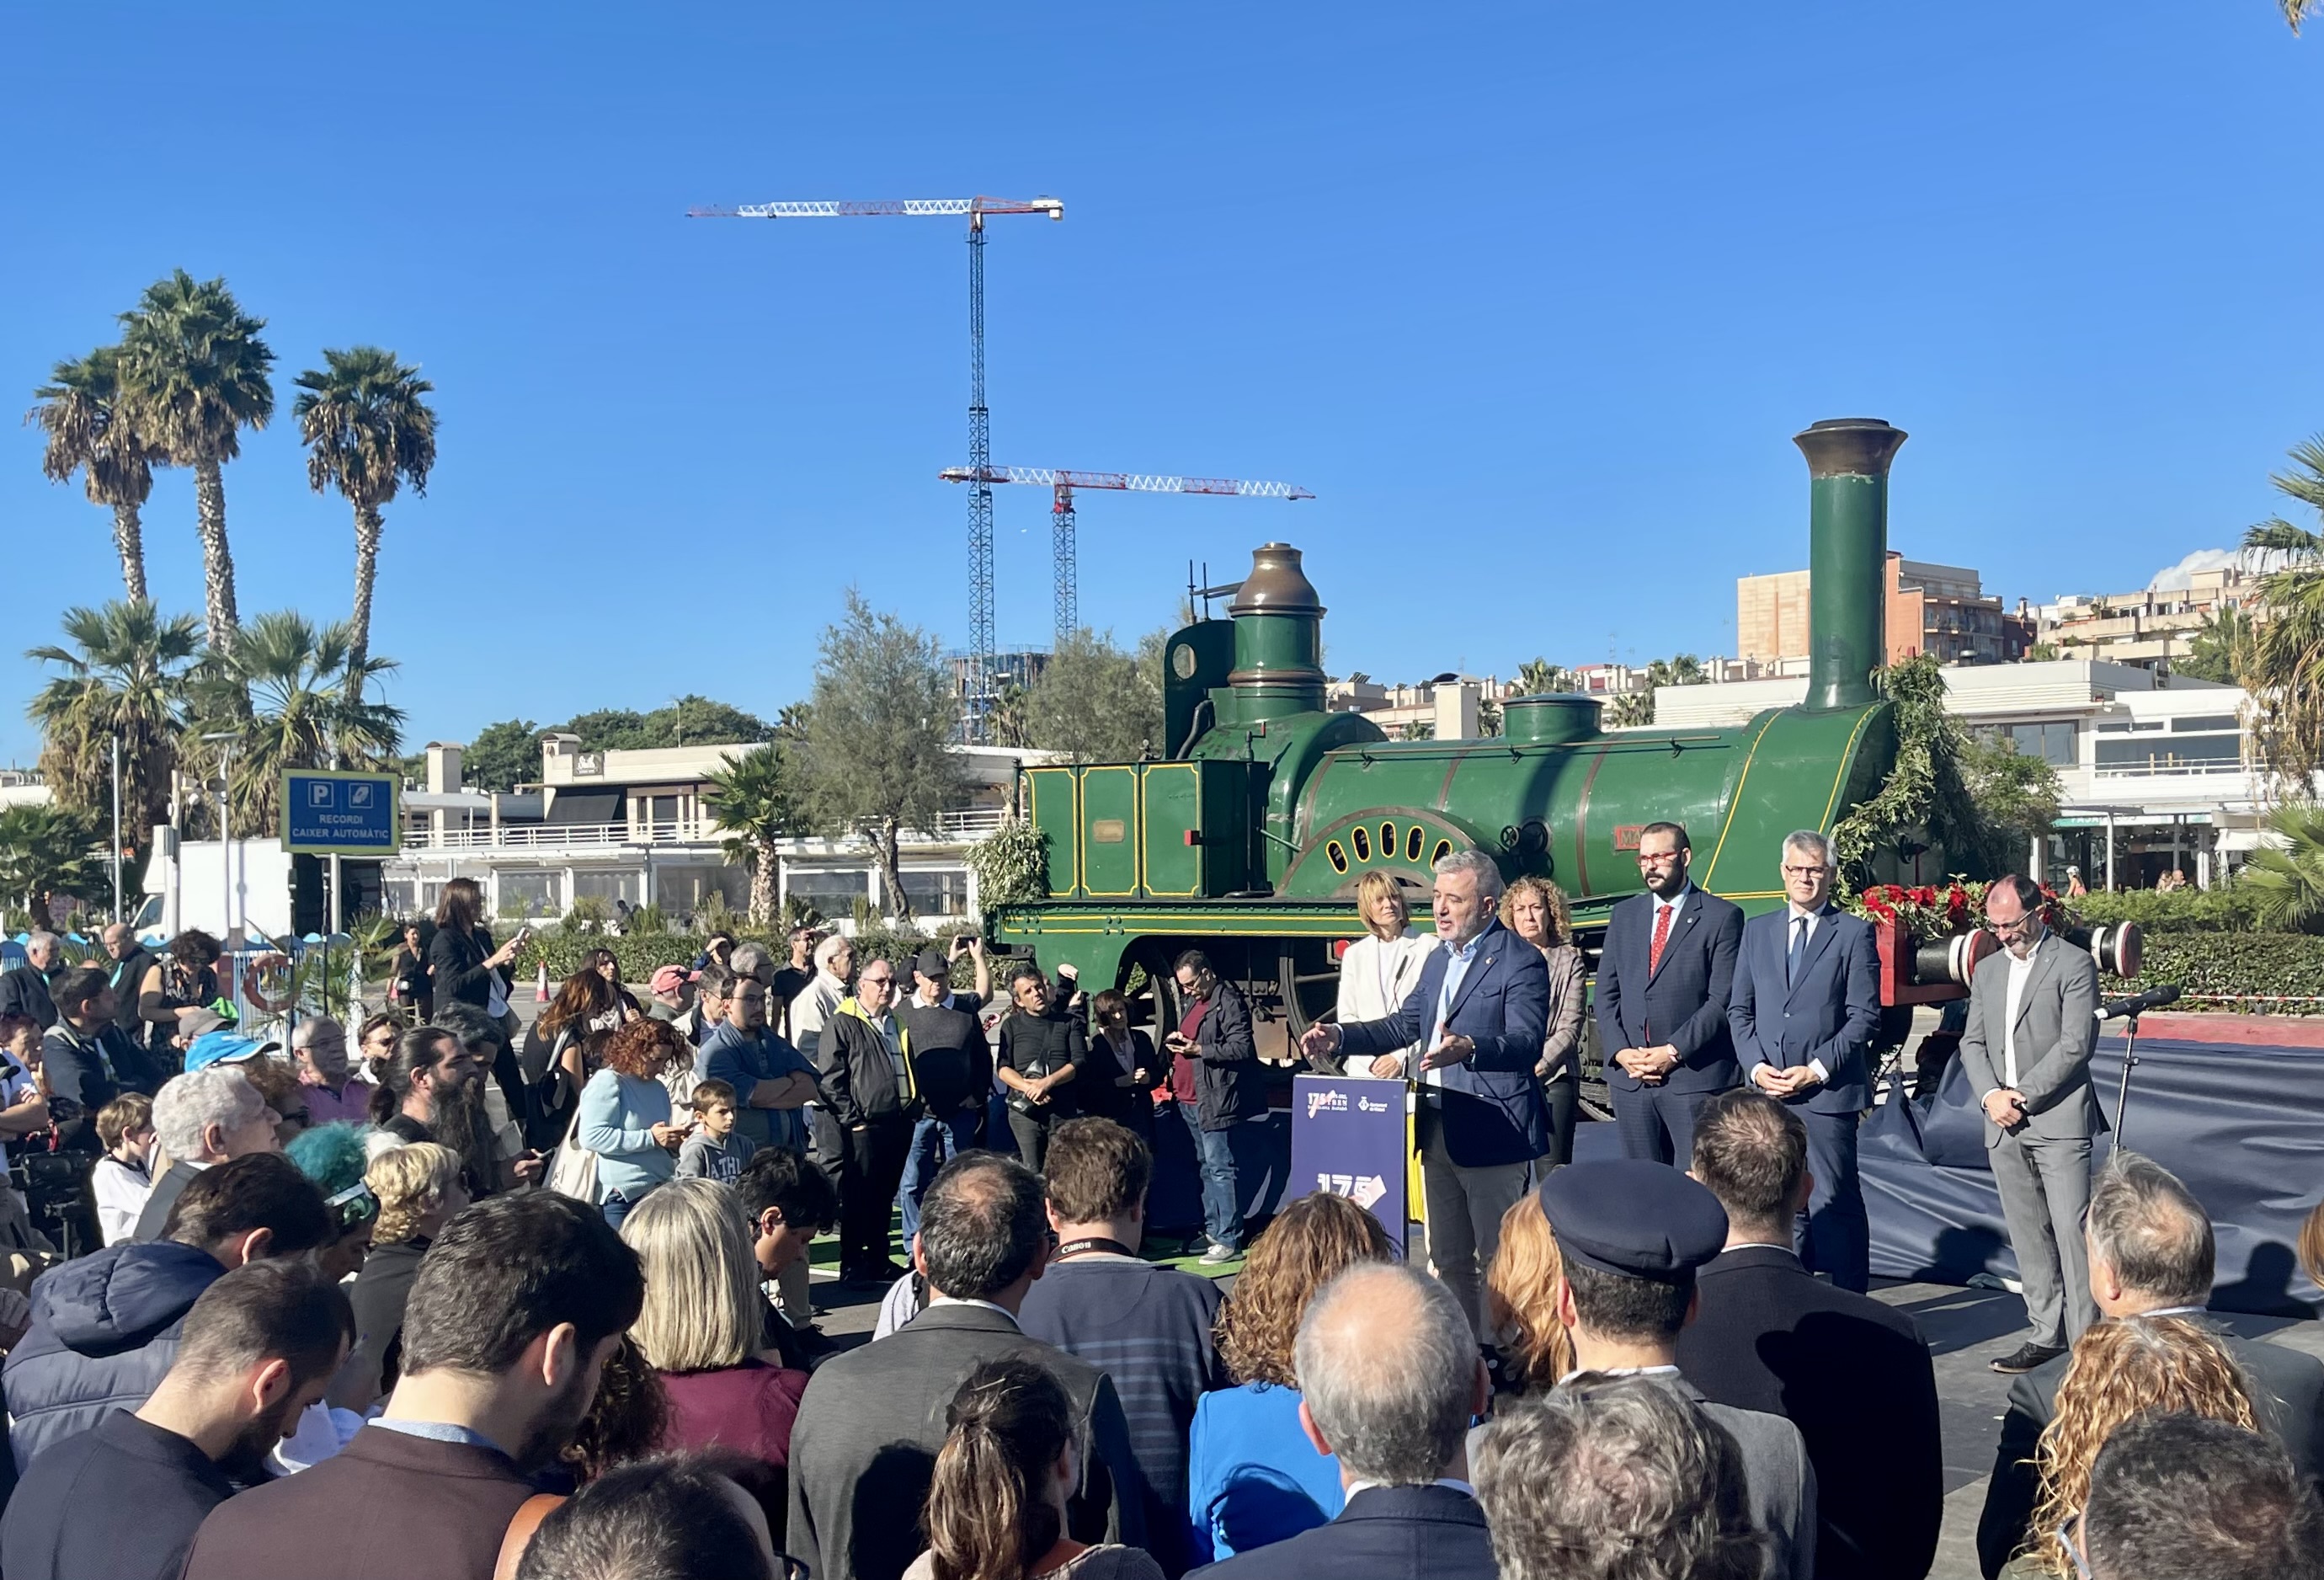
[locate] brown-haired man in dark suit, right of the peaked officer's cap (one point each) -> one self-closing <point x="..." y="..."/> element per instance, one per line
<point x="1849" y="1372"/>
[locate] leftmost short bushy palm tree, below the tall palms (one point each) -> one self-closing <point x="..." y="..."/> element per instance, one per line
<point x="127" y="675"/>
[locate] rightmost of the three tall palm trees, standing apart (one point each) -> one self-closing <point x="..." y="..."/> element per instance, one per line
<point x="368" y="433"/>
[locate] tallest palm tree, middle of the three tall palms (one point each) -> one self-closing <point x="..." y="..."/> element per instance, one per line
<point x="194" y="375"/>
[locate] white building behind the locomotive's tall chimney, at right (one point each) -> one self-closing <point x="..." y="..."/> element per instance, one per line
<point x="2153" y="768"/>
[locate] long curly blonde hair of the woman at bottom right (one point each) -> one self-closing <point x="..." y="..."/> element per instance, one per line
<point x="2118" y="1372"/>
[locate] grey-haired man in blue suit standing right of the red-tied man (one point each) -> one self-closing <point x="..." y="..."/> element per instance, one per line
<point x="1805" y="1012"/>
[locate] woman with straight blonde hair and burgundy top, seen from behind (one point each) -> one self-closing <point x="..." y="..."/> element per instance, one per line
<point x="701" y="1330"/>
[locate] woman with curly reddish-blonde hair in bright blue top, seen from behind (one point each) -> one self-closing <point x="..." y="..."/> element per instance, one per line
<point x="1254" y="1477"/>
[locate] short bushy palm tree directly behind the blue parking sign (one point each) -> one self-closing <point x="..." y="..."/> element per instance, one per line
<point x="296" y="703"/>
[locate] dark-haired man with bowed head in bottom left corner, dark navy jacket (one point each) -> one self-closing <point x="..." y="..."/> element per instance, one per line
<point x="259" y="1346"/>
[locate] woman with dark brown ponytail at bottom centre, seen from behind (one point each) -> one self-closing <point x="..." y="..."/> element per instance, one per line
<point x="996" y="1502"/>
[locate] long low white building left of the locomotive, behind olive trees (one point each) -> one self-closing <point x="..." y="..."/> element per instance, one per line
<point x="636" y="826"/>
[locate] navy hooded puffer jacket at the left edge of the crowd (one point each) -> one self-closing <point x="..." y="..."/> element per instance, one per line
<point x="103" y="1335"/>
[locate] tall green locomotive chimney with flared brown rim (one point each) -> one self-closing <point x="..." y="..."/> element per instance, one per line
<point x="1849" y="464"/>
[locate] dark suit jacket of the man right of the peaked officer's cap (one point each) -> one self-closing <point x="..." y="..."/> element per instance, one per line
<point x="1856" y="1379"/>
